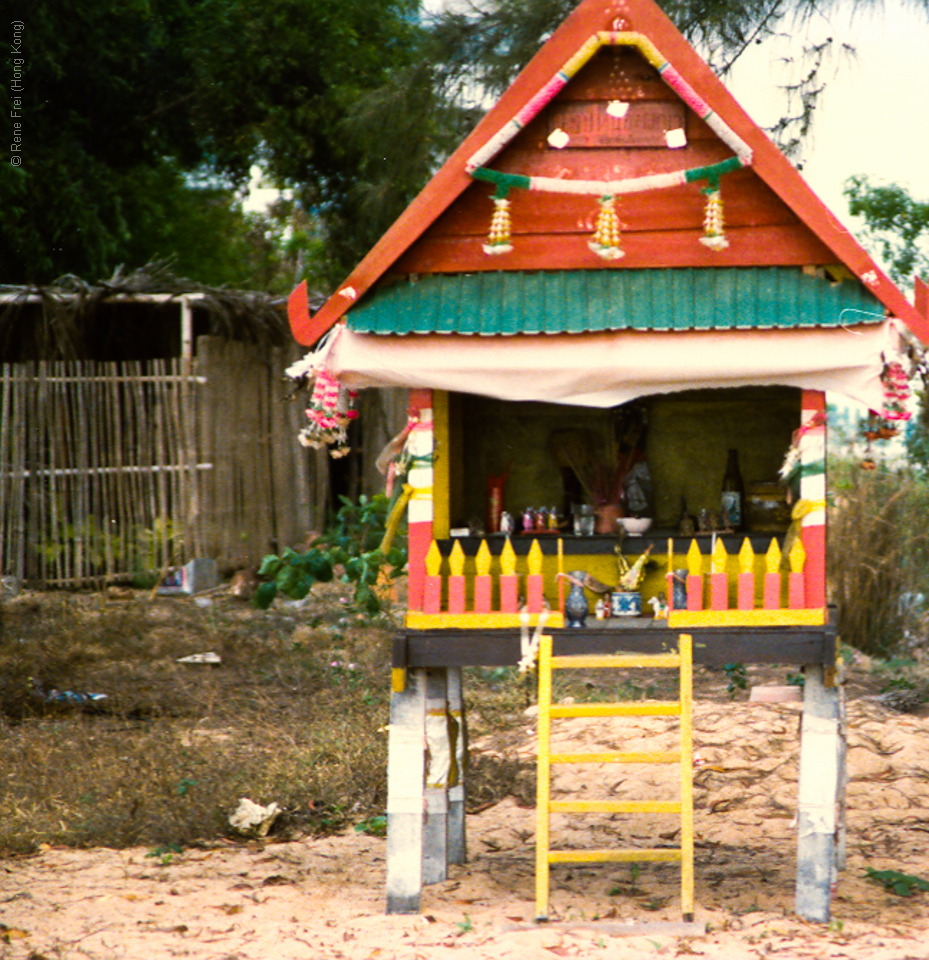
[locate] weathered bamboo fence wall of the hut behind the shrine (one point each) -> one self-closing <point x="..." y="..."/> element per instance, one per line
<point x="115" y="471"/>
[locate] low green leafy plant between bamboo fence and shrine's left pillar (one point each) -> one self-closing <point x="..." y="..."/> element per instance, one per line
<point x="350" y="549"/>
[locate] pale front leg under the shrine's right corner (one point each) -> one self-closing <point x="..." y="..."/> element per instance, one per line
<point x="818" y="797"/>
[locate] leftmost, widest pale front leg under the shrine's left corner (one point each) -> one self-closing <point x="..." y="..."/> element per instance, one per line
<point x="405" y="787"/>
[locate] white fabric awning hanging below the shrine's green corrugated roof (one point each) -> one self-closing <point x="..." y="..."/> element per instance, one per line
<point x="606" y="369"/>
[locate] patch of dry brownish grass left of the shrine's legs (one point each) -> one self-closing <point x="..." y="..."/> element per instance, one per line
<point x="164" y="759"/>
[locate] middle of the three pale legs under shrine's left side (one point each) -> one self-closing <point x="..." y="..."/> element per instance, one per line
<point x="435" y="827"/>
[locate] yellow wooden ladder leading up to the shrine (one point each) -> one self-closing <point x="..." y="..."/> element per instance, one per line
<point x="545" y="807"/>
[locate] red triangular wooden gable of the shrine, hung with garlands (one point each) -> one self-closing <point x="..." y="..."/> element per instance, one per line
<point x="615" y="104"/>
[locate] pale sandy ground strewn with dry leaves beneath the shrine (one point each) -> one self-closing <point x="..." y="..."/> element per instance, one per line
<point x="324" y="898"/>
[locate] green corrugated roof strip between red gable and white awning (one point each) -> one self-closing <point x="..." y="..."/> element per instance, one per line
<point x="579" y="301"/>
